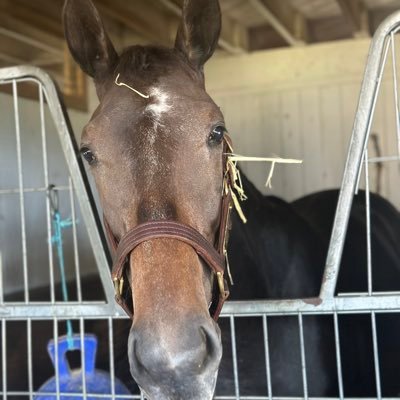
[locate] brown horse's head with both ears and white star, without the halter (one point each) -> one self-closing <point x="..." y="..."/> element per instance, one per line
<point x="156" y="154"/>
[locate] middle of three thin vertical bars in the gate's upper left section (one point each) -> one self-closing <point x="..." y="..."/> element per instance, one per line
<point x="46" y="184"/>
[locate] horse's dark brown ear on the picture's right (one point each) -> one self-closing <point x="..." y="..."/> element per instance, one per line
<point x="199" y="30"/>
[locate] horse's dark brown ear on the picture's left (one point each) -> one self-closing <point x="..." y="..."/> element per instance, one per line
<point x="87" y="39"/>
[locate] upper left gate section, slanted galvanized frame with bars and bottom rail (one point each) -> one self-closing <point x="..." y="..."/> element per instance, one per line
<point x="49" y="96"/>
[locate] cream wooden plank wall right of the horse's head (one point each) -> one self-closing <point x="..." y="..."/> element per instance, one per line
<point x="300" y="103"/>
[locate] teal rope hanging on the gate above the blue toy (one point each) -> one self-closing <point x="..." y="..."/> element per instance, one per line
<point x="58" y="226"/>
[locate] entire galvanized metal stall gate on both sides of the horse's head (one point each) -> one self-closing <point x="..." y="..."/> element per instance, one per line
<point x="29" y="321"/>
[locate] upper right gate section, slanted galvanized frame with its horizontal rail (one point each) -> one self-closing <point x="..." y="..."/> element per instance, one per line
<point x="383" y="41"/>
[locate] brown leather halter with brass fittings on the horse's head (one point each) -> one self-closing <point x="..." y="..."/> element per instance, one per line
<point x="213" y="255"/>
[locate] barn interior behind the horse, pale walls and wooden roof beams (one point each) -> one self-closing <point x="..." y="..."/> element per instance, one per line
<point x="287" y="76"/>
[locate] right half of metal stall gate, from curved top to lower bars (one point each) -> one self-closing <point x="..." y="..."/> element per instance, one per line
<point x="374" y="309"/>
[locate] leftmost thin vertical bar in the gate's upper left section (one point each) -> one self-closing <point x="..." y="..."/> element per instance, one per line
<point x="21" y="191"/>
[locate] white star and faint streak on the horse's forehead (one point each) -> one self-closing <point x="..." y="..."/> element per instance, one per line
<point x="158" y="106"/>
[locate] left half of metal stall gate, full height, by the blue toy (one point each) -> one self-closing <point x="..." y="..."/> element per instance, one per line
<point x="42" y="177"/>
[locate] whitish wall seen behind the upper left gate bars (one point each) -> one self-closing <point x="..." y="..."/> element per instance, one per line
<point x="34" y="203"/>
